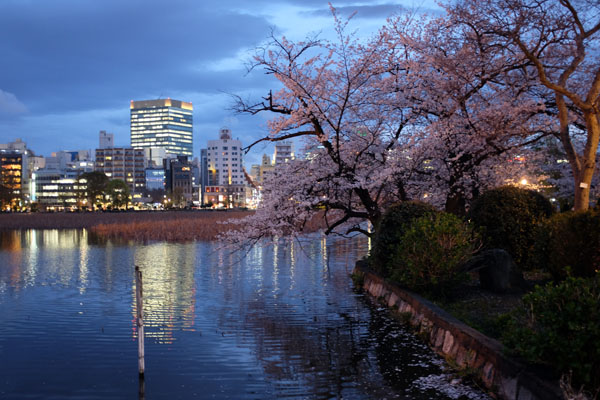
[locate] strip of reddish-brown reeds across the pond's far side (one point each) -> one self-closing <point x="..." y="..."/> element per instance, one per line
<point x="151" y="225"/>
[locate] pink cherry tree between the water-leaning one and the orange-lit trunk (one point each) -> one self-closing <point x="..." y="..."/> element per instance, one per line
<point x="477" y="104"/>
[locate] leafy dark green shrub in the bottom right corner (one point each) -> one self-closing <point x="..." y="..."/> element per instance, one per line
<point x="559" y="325"/>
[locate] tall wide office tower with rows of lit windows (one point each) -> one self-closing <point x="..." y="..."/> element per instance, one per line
<point x="162" y="123"/>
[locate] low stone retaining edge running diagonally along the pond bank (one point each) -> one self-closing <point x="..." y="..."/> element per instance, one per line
<point x="468" y="347"/>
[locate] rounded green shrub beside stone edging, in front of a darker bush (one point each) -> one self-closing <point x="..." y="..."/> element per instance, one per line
<point x="430" y="253"/>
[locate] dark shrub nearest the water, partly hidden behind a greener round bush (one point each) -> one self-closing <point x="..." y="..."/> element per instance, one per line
<point x="390" y="230"/>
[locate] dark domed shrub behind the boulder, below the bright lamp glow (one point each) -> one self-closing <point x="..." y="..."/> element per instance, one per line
<point x="508" y="217"/>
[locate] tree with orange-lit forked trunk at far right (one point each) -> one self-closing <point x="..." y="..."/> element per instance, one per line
<point x="561" y="41"/>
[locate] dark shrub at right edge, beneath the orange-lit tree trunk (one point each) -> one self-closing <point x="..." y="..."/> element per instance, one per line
<point x="569" y="243"/>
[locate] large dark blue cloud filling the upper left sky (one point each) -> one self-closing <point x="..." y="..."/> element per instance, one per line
<point x="77" y="55"/>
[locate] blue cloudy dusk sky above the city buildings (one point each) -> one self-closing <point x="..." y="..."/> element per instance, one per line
<point x="70" y="67"/>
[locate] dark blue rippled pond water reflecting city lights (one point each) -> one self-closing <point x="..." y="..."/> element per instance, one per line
<point x="281" y="322"/>
